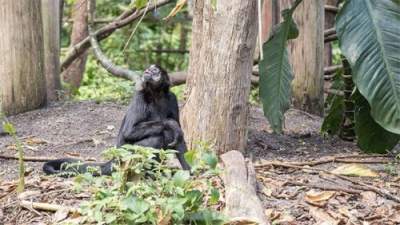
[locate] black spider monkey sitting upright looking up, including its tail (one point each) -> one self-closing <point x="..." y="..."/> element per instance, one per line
<point x="152" y="120"/>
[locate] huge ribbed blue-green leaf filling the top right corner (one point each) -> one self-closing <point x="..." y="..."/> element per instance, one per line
<point x="369" y="35"/>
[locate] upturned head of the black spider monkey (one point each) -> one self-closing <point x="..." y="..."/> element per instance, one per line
<point x="154" y="79"/>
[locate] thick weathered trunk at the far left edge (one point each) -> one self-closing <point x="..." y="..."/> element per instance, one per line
<point x="22" y="80"/>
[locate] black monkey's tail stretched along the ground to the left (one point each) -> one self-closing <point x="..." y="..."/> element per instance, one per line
<point x="68" y="167"/>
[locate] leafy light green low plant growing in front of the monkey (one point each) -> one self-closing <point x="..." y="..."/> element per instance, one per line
<point x="146" y="191"/>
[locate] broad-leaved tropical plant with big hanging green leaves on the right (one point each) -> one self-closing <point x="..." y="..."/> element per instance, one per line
<point x="369" y="37"/>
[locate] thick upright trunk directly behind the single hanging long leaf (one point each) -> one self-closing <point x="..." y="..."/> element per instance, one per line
<point x="306" y="56"/>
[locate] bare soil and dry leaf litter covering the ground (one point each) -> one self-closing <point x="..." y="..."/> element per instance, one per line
<point x="293" y="193"/>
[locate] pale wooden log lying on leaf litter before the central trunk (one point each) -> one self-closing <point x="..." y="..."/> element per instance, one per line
<point x="240" y="191"/>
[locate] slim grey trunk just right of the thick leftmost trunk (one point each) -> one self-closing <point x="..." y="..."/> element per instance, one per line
<point x="51" y="37"/>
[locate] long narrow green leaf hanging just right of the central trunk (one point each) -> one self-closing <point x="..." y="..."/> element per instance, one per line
<point x="276" y="73"/>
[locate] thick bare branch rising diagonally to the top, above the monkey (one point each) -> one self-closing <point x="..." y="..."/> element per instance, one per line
<point x="124" y="19"/>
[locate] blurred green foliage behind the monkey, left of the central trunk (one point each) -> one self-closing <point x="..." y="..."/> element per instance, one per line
<point x="152" y="34"/>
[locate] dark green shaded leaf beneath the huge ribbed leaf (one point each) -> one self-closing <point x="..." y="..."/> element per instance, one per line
<point x="371" y="137"/>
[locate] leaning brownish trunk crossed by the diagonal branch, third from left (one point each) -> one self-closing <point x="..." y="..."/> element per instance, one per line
<point x="74" y="73"/>
